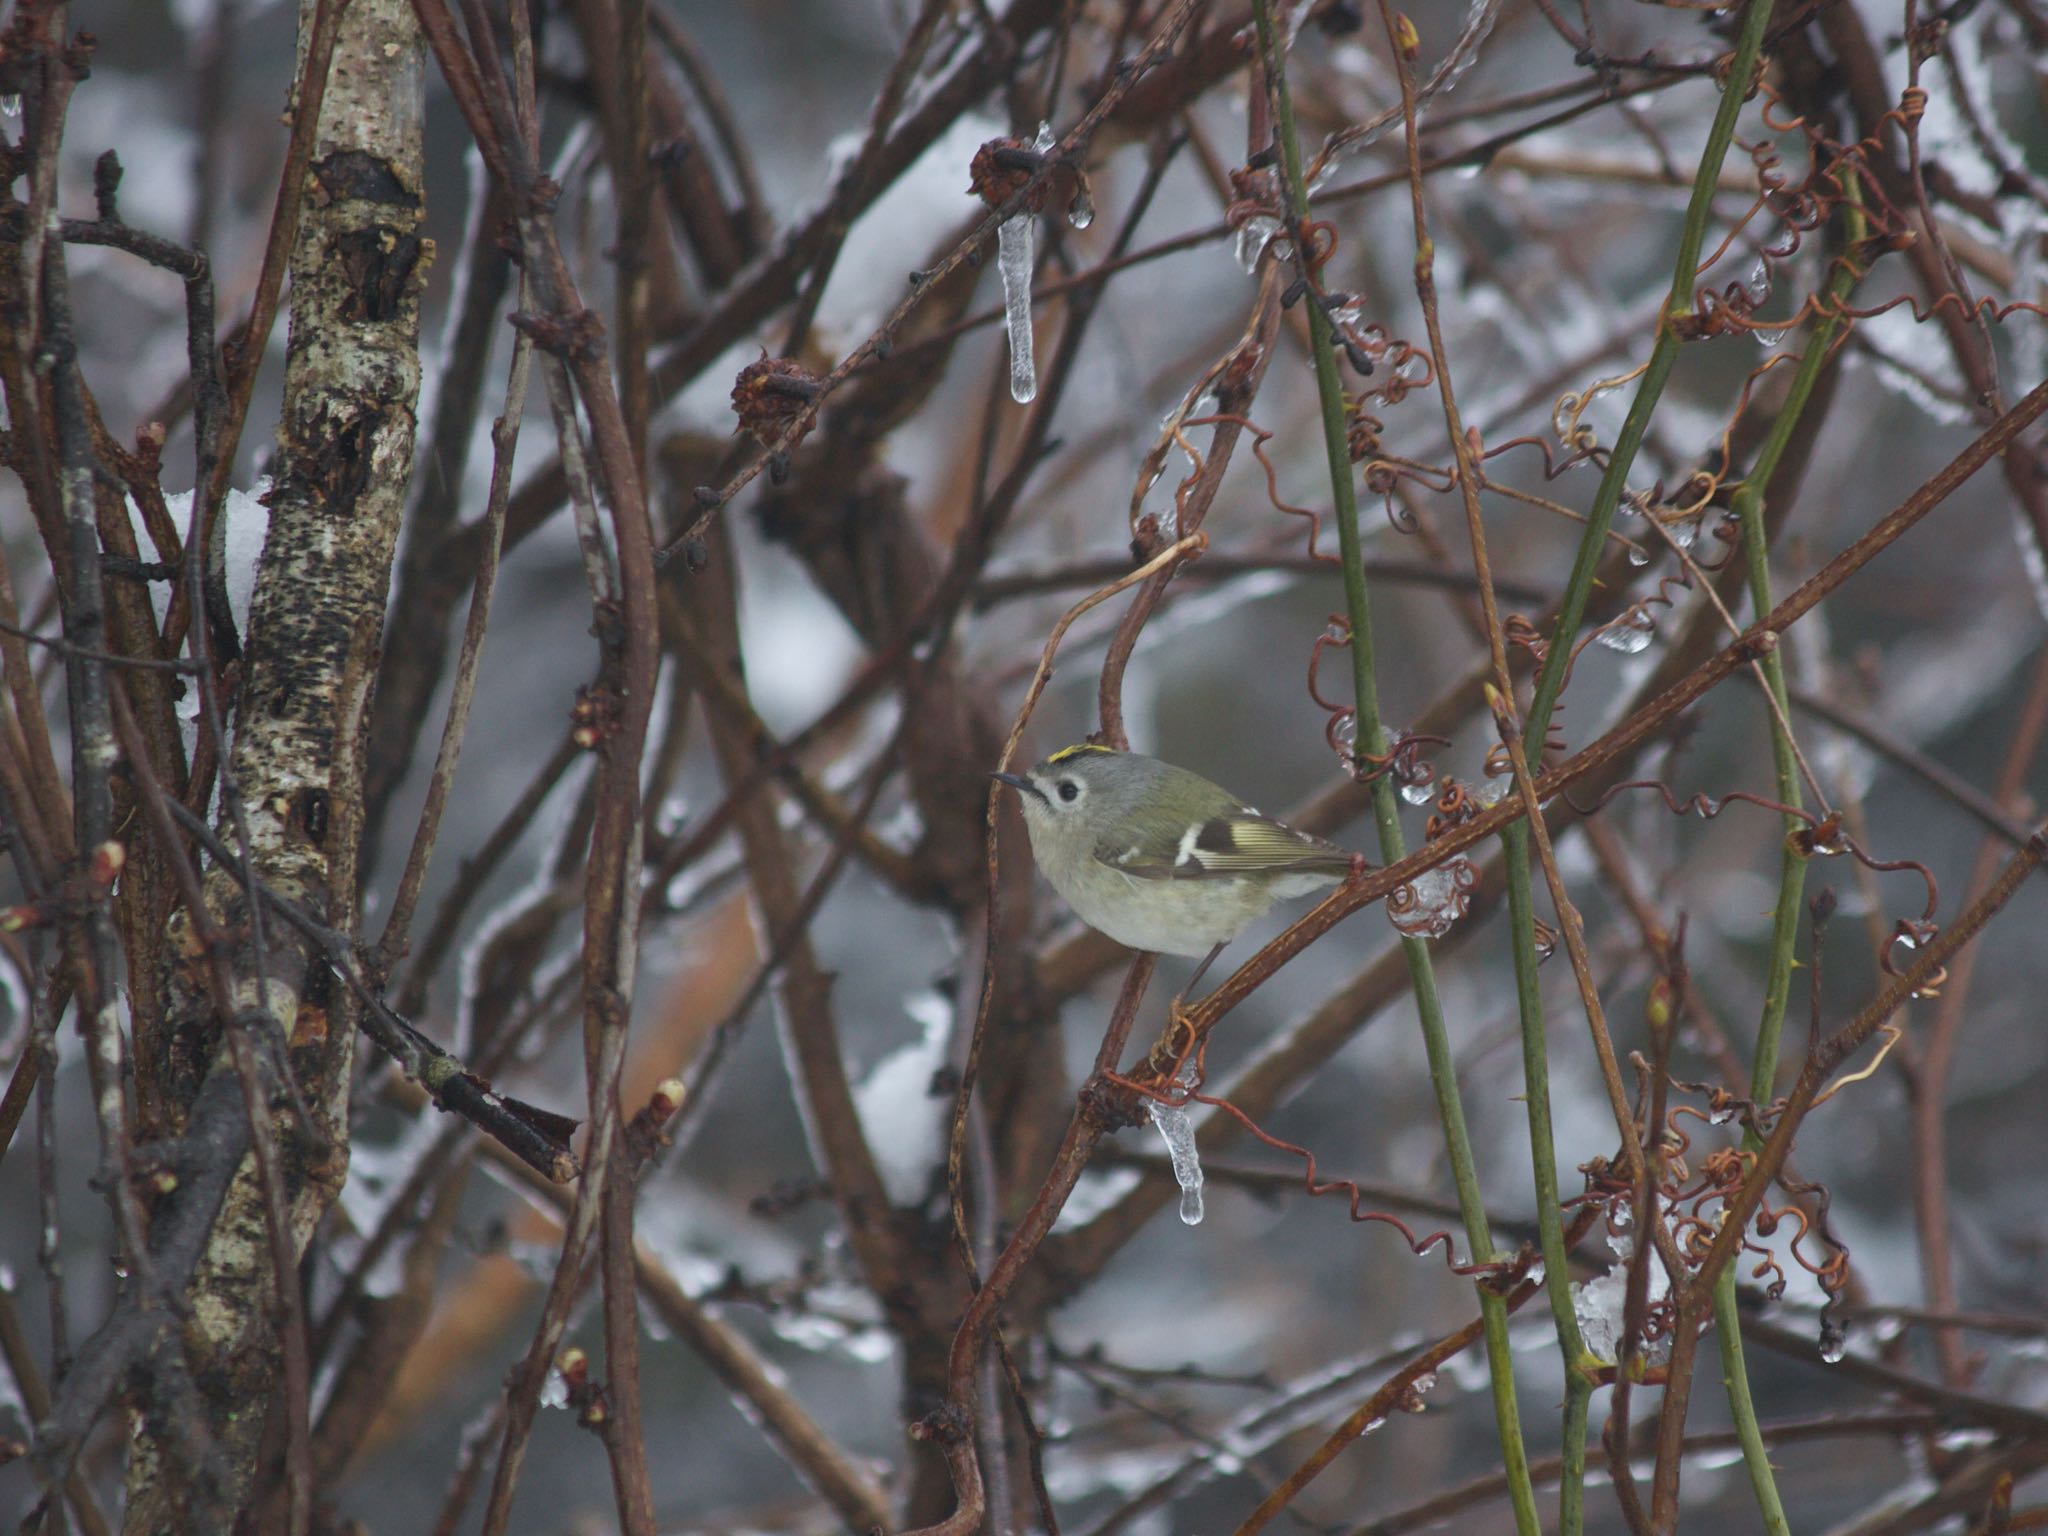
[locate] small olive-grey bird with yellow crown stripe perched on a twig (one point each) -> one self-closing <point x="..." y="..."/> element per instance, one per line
<point x="1162" y="859"/>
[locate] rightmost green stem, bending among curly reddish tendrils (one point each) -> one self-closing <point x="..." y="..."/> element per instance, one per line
<point x="1791" y="867"/>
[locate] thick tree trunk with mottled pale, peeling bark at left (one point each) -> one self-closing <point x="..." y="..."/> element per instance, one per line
<point x="345" y="458"/>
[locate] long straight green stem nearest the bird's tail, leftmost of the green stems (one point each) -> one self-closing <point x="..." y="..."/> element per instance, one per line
<point x="1371" y="738"/>
